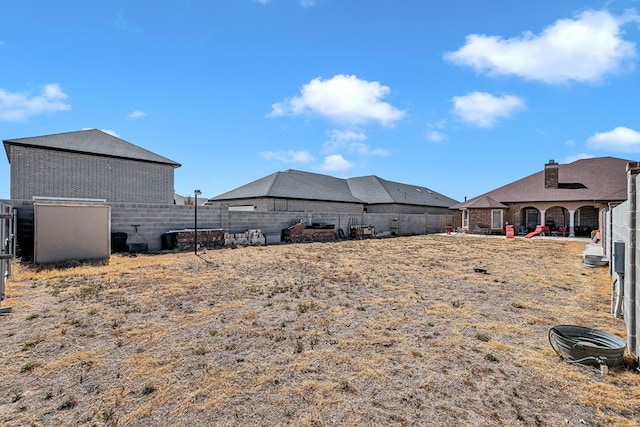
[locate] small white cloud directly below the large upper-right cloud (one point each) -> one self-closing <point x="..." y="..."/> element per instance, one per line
<point x="484" y="109"/>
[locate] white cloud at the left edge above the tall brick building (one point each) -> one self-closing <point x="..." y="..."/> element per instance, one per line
<point x="19" y="106"/>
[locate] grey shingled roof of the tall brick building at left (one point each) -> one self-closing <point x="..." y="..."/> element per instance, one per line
<point x="92" y="141"/>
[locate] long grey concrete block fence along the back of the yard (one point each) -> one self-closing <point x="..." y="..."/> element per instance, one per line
<point x="145" y="222"/>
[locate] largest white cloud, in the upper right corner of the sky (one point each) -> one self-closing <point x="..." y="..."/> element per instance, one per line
<point x="583" y="49"/>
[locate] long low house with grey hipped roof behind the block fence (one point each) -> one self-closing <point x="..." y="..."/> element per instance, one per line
<point x="298" y="191"/>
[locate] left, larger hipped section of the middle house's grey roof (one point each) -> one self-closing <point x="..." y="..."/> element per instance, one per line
<point x="293" y="184"/>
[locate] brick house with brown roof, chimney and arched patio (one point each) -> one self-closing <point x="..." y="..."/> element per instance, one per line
<point x="568" y="198"/>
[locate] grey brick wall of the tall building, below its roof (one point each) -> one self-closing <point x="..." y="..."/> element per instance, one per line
<point x="48" y="173"/>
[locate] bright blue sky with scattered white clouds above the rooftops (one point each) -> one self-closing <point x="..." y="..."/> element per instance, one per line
<point x="458" y="96"/>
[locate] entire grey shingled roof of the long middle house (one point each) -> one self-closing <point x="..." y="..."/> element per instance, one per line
<point x="295" y="184"/>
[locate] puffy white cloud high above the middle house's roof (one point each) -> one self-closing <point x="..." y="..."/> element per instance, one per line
<point x="342" y="99"/>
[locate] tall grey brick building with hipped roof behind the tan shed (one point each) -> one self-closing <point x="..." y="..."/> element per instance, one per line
<point x="88" y="164"/>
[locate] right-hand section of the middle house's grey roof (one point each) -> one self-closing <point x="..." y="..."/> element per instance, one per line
<point x="375" y="190"/>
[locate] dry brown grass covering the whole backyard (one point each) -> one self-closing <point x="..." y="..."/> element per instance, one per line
<point x="380" y="332"/>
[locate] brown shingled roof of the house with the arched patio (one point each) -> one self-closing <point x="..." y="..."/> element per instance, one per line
<point x="601" y="179"/>
